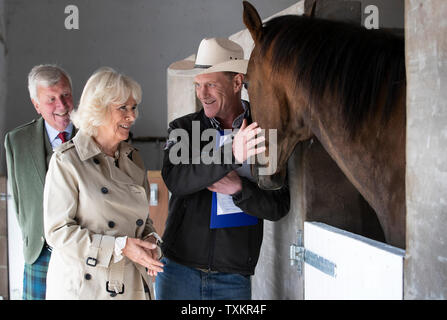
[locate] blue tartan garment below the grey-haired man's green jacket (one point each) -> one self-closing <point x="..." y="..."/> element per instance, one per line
<point x="35" y="277"/>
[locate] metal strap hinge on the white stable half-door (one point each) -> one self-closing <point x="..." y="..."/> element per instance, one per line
<point x="298" y="255"/>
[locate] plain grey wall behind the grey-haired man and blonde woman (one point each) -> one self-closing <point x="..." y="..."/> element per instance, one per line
<point x="138" y="37"/>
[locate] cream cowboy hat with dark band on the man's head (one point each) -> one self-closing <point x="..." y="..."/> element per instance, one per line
<point x="216" y="55"/>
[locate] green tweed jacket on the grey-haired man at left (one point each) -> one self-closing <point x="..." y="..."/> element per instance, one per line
<point x="27" y="165"/>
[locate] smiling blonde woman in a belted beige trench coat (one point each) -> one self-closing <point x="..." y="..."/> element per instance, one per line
<point x="96" y="201"/>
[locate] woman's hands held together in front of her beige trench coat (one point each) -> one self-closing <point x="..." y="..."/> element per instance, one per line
<point x="143" y="253"/>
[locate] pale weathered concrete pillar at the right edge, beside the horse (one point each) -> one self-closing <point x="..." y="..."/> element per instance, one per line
<point x="426" y="53"/>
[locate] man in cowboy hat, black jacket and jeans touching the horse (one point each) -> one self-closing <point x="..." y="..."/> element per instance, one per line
<point x="211" y="246"/>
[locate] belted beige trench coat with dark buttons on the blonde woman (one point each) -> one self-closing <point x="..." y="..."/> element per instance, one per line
<point x="88" y="202"/>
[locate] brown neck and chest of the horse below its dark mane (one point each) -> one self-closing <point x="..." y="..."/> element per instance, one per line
<point x="374" y="161"/>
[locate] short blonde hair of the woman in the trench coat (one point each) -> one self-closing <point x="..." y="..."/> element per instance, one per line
<point x="104" y="88"/>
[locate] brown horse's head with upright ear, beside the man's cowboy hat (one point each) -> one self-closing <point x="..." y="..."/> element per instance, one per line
<point x="271" y="107"/>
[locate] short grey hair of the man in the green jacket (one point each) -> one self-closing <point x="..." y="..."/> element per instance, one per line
<point x="45" y="75"/>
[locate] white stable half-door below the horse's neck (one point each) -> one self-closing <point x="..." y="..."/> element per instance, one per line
<point x="365" y="268"/>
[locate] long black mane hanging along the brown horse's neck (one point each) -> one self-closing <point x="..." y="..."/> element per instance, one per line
<point x="352" y="62"/>
